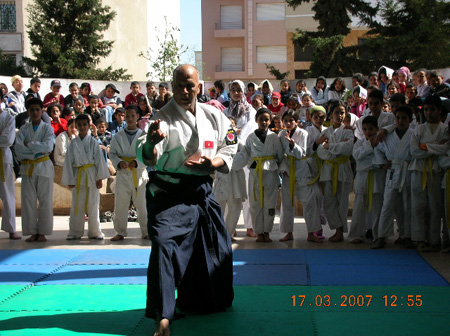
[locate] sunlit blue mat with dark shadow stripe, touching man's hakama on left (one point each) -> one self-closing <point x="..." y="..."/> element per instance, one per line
<point x="98" y="275"/>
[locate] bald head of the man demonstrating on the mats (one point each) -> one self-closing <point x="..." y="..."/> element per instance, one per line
<point x="186" y="86"/>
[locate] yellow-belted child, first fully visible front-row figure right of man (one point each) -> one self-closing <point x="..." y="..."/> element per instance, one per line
<point x="263" y="152"/>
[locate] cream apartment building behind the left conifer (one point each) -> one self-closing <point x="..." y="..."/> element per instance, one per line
<point x="133" y="30"/>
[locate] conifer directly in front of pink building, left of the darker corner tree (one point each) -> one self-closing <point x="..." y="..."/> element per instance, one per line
<point x="330" y="57"/>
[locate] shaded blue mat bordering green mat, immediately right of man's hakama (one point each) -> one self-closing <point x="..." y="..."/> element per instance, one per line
<point x="270" y="275"/>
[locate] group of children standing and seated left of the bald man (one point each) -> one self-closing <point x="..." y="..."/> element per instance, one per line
<point x="82" y="151"/>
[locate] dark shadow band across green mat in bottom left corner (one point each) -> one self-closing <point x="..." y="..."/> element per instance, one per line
<point x="114" y="323"/>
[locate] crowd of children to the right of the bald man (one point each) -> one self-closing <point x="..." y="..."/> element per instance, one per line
<point x="395" y="161"/>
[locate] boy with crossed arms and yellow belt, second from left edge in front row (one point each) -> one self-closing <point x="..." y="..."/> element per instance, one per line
<point x="34" y="142"/>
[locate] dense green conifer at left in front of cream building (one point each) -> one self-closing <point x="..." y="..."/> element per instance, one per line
<point x="67" y="39"/>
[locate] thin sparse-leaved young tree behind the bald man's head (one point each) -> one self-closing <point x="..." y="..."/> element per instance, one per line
<point x="167" y="57"/>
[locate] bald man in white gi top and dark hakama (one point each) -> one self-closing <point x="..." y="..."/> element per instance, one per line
<point x="191" y="249"/>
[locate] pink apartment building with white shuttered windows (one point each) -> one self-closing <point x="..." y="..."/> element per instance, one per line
<point x="241" y="36"/>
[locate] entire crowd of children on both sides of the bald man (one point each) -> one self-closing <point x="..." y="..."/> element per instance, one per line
<point x="391" y="147"/>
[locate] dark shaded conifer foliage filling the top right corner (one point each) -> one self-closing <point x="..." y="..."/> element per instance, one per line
<point x="413" y="32"/>
